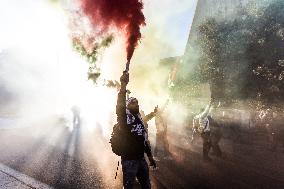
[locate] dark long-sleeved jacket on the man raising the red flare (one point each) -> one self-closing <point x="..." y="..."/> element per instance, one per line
<point x="136" y="134"/>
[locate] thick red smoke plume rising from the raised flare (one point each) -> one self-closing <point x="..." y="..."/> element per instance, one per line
<point x="126" y="15"/>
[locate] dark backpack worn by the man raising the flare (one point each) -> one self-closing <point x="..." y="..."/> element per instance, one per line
<point x="118" y="140"/>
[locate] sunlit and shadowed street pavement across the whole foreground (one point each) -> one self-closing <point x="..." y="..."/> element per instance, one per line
<point x="51" y="154"/>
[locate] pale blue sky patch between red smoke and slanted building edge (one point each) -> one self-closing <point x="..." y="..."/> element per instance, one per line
<point x="172" y="19"/>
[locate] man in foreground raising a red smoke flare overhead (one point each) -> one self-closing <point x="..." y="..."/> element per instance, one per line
<point x="133" y="161"/>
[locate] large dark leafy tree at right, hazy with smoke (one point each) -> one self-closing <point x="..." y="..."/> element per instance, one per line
<point x="243" y="58"/>
